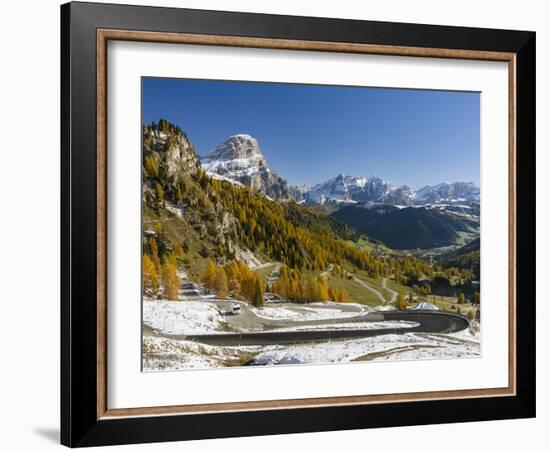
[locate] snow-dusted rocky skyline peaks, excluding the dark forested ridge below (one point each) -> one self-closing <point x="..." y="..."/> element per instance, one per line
<point x="239" y="159"/>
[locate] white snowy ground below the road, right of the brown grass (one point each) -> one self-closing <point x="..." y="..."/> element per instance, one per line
<point x="411" y="346"/>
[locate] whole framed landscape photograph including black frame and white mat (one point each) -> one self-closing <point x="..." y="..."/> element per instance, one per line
<point x="276" y="224"/>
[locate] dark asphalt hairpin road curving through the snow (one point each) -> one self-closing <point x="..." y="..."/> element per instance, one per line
<point x="428" y="322"/>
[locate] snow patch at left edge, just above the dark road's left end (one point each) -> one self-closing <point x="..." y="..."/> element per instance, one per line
<point x="182" y="317"/>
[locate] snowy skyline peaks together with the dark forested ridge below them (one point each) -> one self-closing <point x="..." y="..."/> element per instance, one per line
<point x="402" y="218"/>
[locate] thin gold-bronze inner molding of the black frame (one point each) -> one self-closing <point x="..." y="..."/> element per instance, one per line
<point x="103" y="36"/>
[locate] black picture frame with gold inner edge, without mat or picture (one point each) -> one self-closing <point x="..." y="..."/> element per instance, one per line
<point x="85" y="417"/>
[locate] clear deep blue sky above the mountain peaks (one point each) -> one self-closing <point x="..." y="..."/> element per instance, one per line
<point x="311" y="133"/>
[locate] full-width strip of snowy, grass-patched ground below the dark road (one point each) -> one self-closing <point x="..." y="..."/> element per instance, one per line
<point x="170" y="354"/>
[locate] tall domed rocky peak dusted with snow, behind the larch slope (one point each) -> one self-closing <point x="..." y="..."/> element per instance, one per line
<point x="240" y="160"/>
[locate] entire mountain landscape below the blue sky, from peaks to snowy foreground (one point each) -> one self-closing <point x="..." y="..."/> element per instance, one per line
<point x="247" y="250"/>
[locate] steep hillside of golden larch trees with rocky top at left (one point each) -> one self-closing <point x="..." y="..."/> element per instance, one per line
<point x="213" y="218"/>
